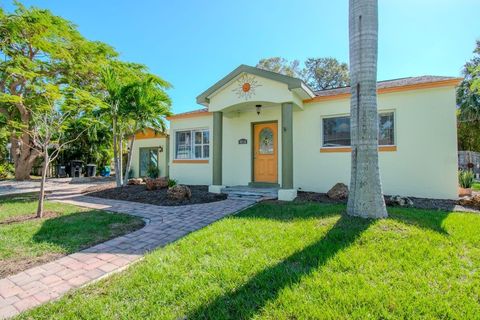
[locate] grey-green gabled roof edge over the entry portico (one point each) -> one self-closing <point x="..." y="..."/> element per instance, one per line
<point x="291" y="82"/>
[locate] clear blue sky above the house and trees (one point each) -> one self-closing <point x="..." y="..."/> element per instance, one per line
<point x="192" y="44"/>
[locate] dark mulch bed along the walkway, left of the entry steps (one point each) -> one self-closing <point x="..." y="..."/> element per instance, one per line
<point x="139" y="193"/>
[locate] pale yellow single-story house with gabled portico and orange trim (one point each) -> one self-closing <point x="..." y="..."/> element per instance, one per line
<point x="261" y="128"/>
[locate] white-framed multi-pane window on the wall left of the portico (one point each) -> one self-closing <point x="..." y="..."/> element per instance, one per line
<point x="192" y="144"/>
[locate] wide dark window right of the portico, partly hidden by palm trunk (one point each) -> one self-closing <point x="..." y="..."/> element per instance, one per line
<point x="336" y="130"/>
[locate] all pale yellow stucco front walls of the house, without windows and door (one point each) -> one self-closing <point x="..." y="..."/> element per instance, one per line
<point x="424" y="164"/>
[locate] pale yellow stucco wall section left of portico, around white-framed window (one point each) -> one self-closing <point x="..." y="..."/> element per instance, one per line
<point x="191" y="173"/>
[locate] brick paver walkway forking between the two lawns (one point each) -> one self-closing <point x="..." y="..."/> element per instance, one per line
<point x="47" y="282"/>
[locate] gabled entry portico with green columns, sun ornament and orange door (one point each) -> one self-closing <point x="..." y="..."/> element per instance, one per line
<point x="252" y="134"/>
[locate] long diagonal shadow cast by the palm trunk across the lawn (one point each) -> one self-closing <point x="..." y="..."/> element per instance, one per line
<point x="265" y="286"/>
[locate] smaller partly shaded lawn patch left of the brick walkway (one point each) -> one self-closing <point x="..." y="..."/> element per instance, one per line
<point x="27" y="243"/>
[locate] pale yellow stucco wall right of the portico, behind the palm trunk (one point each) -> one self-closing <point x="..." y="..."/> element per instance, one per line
<point x="425" y="163"/>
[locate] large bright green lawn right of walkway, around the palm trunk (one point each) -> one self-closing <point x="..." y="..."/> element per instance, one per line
<point x="298" y="261"/>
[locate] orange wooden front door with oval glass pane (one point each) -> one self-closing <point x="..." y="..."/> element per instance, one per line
<point x="265" y="152"/>
